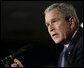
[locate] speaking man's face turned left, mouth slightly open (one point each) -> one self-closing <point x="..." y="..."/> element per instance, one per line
<point x="58" y="28"/>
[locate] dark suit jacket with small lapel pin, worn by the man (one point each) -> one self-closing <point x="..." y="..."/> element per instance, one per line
<point x="74" y="53"/>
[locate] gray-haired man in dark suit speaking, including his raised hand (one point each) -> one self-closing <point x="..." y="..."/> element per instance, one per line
<point x="63" y="26"/>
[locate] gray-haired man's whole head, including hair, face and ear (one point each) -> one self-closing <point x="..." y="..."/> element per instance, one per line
<point x="61" y="21"/>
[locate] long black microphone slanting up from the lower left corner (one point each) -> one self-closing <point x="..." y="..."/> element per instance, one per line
<point x="7" y="61"/>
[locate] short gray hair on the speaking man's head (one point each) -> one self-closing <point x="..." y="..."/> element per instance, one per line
<point x="66" y="10"/>
